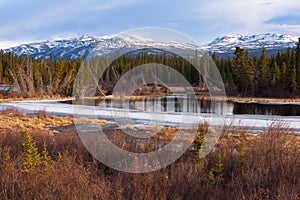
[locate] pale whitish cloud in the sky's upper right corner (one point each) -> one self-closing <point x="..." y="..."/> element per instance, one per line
<point x="242" y="15"/>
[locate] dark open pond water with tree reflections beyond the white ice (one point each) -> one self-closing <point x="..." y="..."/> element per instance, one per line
<point x="189" y="104"/>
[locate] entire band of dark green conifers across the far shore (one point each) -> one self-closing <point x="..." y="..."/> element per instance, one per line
<point x="275" y="76"/>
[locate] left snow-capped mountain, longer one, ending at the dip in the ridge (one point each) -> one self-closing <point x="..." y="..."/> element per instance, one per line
<point x="81" y="47"/>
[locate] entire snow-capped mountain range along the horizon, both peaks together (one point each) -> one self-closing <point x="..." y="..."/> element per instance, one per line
<point x="80" y="47"/>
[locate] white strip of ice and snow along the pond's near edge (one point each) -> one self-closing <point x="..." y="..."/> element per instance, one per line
<point x="123" y="116"/>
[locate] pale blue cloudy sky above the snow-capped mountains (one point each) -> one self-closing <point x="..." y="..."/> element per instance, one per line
<point x="203" y="20"/>
